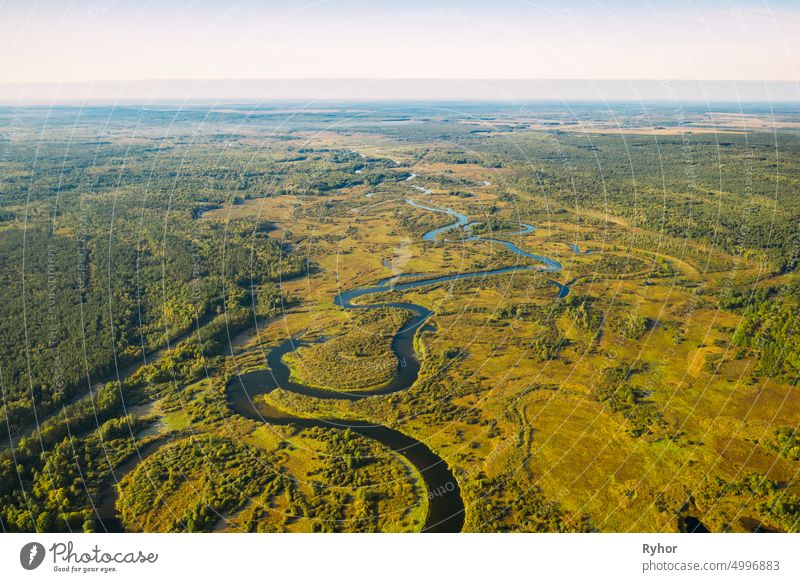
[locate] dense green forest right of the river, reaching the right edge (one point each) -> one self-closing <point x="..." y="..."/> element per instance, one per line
<point x="728" y="198"/>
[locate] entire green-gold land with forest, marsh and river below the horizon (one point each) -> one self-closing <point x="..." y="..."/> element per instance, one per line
<point x="469" y="318"/>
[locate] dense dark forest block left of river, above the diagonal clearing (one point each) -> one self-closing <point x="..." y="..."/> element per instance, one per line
<point x="94" y="305"/>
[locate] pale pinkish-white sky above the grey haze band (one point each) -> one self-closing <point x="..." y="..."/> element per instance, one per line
<point x="87" y="41"/>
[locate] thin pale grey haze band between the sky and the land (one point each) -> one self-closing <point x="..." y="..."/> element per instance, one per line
<point x="327" y="90"/>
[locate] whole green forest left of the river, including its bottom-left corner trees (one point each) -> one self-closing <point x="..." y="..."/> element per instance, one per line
<point x="112" y="264"/>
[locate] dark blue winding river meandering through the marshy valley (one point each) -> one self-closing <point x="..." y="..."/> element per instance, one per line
<point x="445" y="506"/>
